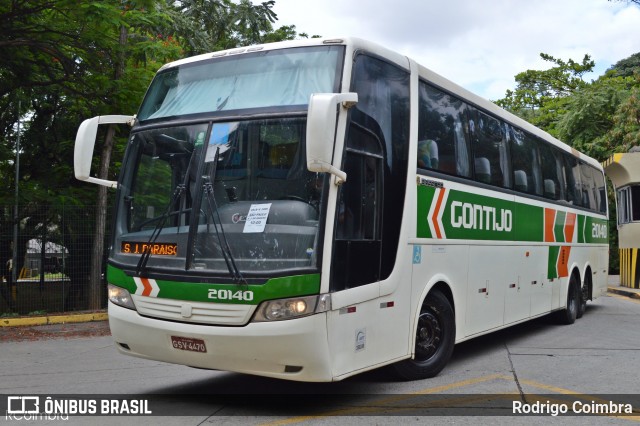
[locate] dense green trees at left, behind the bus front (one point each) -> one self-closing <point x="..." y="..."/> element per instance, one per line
<point x="66" y="61"/>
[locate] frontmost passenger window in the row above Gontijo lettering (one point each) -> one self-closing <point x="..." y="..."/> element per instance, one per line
<point x="442" y="144"/>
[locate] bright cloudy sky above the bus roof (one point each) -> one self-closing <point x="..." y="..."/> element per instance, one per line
<point x="479" y="44"/>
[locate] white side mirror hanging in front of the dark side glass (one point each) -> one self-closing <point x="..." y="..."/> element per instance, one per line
<point x="321" y="131"/>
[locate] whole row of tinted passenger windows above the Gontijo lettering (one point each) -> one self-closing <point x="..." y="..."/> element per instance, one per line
<point x="459" y="139"/>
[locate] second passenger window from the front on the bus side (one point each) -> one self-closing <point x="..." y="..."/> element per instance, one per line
<point x="490" y="149"/>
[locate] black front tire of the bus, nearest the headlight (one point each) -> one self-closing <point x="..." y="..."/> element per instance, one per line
<point x="435" y="339"/>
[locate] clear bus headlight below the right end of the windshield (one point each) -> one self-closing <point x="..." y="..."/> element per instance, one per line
<point x="295" y="307"/>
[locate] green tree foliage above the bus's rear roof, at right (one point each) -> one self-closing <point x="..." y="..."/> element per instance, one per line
<point x="598" y="118"/>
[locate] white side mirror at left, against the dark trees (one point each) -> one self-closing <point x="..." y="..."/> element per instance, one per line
<point x="85" y="142"/>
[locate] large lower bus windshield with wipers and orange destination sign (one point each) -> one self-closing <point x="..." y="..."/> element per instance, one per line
<point x="223" y="198"/>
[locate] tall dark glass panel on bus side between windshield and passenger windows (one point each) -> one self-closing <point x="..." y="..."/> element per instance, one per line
<point x="375" y="161"/>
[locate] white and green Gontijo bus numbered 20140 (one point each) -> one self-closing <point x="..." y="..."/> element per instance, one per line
<point x="314" y="209"/>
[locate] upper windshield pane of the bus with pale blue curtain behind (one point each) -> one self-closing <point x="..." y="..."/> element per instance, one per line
<point x="254" y="80"/>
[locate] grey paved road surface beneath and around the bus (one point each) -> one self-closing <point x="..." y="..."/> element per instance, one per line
<point x="597" y="356"/>
